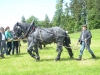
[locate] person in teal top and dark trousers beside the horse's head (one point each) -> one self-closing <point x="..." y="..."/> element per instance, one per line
<point x="9" y="39"/>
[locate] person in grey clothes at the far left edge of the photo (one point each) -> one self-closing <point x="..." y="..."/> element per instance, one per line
<point x="3" y="47"/>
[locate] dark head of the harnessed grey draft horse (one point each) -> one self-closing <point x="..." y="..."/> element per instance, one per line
<point x="18" y="29"/>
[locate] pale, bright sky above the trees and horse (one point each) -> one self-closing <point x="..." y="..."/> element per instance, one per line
<point x="11" y="11"/>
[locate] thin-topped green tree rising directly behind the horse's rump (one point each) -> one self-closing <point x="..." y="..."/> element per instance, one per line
<point x="69" y="22"/>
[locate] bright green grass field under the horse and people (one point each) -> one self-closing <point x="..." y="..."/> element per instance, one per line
<point x="23" y="64"/>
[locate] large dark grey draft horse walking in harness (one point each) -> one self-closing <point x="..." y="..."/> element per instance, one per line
<point x="39" y="35"/>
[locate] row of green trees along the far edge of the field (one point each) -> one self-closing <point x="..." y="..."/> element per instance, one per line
<point x="70" y="16"/>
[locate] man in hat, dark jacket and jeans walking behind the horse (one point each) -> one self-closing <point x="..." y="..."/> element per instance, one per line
<point x="85" y="41"/>
